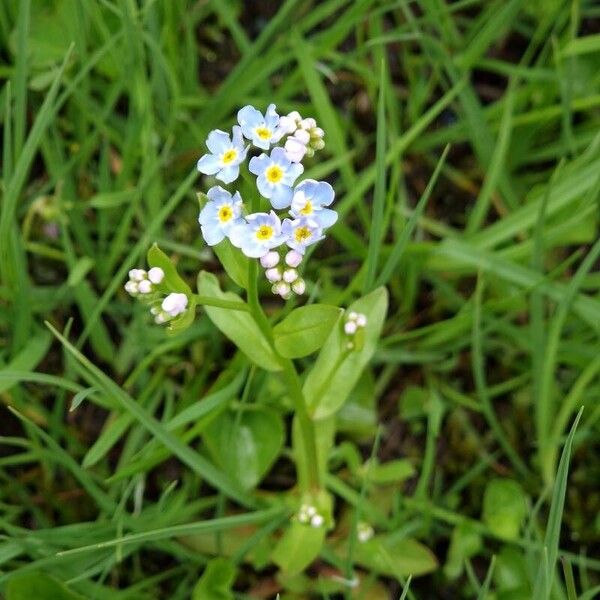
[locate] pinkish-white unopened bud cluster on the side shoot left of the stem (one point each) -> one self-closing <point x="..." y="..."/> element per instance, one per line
<point x="143" y="285"/>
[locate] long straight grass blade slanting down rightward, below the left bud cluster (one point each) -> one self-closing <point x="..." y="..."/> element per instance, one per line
<point x="192" y="459"/>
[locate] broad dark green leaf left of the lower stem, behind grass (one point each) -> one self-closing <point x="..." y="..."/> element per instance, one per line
<point x="246" y="444"/>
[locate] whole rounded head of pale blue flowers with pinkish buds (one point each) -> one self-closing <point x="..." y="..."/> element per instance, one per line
<point x="260" y="234"/>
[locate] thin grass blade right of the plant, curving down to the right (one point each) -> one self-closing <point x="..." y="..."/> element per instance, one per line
<point x="478" y="366"/>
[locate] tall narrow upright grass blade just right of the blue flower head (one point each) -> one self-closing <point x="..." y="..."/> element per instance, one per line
<point x="376" y="232"/>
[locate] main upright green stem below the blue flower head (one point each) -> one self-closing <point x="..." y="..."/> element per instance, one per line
<point x="307" y="428"/>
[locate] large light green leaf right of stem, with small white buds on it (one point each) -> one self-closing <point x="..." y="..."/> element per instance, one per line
<point x="338" y="369"/>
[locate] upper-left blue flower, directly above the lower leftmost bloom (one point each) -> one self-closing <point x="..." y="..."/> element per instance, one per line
<point x="226" y="155"/>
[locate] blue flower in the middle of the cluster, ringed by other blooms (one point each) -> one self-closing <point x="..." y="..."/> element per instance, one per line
<point x="276" y="176"/>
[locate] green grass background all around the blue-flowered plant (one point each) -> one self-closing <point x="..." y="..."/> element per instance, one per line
<point x="490" y="347"/>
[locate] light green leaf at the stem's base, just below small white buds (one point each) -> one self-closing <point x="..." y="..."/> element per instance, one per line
<point x="299" y="546"/>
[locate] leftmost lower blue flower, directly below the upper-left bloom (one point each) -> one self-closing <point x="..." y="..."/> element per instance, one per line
<point x="222" y="212"/>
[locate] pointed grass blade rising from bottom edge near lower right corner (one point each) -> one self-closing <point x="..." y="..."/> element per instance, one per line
<point x="543" y="583"/>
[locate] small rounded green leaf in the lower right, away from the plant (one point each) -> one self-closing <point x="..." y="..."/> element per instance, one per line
<point x="504" y="508"/>
